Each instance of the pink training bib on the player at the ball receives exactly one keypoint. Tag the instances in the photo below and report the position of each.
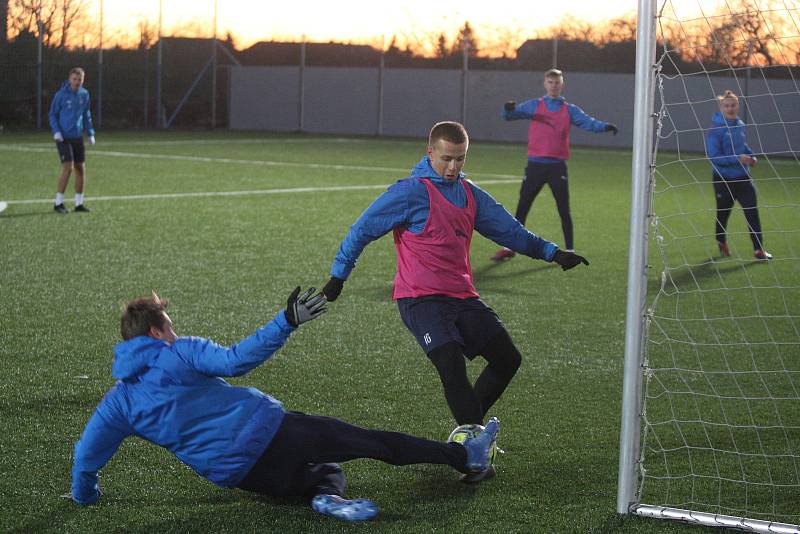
(436, 261)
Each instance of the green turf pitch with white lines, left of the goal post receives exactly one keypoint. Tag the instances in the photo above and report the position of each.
(227, 264)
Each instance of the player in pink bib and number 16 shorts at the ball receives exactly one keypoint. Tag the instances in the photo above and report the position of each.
(432, 215)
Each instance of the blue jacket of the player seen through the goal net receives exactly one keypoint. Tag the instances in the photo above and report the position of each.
(726, 140)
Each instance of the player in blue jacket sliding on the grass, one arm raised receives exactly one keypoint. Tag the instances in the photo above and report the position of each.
(169, 392)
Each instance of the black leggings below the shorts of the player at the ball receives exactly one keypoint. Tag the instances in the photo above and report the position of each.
(470, 404)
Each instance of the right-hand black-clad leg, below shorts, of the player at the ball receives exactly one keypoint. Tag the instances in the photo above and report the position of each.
(503, 361)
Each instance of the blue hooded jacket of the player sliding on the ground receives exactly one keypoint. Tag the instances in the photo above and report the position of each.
(171, 395)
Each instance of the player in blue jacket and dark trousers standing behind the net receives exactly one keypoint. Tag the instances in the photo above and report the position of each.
(731, 158)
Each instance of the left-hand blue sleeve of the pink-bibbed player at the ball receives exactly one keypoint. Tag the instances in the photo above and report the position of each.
(386, 212)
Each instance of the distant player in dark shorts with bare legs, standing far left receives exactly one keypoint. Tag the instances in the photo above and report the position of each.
(69, 117)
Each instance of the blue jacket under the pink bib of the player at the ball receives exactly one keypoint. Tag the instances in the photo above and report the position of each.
(406, 204)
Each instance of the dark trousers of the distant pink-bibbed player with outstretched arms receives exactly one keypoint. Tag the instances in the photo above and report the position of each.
(555, 176)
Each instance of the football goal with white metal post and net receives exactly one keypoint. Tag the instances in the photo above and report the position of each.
(710, 422)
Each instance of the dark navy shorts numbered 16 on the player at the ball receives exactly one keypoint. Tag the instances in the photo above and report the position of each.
(437, 319)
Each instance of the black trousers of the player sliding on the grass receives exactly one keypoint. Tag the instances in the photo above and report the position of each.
(302, 459)
